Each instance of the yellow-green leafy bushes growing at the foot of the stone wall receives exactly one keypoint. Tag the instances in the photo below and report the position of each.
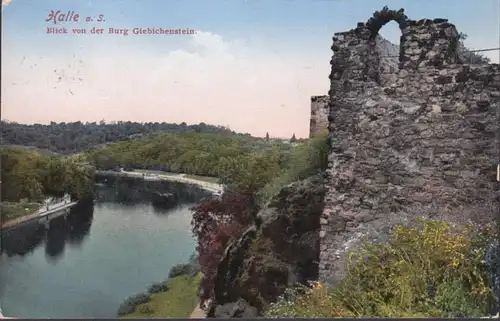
(426, 271)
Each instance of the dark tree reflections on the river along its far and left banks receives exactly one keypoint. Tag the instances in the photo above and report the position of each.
(73, 229)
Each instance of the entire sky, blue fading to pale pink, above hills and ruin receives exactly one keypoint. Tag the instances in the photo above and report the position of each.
(253, 64)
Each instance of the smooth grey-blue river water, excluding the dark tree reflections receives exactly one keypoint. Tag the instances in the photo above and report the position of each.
(87, 264)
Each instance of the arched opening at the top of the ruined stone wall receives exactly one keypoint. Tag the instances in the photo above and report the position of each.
(387, 45)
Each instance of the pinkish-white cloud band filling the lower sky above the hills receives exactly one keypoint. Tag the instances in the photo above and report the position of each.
(209, 79)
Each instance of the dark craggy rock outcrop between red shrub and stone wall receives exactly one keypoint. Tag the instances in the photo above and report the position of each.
(282, 251)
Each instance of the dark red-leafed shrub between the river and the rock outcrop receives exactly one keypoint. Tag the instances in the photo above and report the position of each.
(215, 223)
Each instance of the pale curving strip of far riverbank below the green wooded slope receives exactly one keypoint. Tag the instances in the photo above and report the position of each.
(173, 177)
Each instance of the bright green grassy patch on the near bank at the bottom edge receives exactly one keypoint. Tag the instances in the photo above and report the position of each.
(177, 302)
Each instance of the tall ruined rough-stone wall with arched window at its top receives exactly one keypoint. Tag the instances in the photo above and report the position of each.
(416, 143)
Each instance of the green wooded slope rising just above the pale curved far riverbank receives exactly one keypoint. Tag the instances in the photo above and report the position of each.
(205, 154)
